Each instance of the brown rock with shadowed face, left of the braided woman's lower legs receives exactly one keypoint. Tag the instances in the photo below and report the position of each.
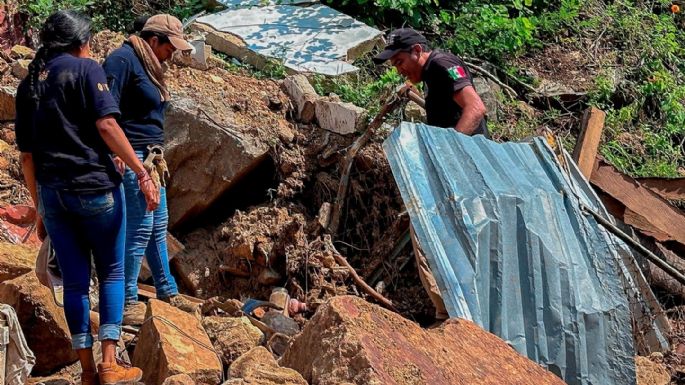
(42, 320)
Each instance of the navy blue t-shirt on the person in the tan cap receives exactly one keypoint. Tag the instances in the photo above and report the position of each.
(140, 101)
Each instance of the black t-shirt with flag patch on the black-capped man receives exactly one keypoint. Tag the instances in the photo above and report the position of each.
(443, 75)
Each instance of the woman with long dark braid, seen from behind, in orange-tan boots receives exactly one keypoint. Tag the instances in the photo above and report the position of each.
(66, 132)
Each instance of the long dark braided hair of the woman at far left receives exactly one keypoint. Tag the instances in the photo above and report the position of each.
(63, 31)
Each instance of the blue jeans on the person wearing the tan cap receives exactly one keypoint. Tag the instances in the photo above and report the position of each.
(146, 235)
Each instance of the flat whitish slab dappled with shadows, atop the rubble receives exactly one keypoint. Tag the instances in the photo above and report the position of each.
(308, 39)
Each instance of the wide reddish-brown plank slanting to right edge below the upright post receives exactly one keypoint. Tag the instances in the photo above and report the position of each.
(645, 210)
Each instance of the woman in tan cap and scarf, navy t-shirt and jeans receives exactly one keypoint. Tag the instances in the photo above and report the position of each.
(136, 81)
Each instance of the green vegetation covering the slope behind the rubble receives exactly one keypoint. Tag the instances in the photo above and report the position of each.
(637, 52)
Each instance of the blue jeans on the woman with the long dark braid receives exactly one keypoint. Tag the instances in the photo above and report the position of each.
(81, 225)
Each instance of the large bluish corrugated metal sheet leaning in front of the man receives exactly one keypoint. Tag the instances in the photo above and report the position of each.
(511, 250)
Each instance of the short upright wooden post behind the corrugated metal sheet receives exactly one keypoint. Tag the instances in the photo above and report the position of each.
(588, 142)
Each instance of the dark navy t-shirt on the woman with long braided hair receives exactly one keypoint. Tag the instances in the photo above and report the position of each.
(68, 151)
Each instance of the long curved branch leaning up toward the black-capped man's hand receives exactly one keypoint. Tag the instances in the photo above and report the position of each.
(349, 160)
